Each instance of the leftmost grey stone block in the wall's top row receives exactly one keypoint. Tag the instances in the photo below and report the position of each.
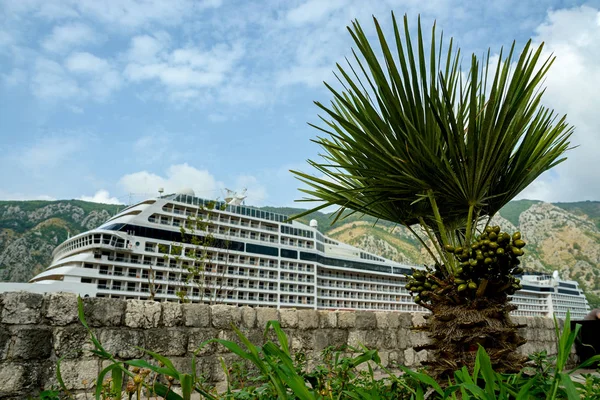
(21, 308)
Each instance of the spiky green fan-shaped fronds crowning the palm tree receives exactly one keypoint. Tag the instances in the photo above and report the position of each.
(411, 138)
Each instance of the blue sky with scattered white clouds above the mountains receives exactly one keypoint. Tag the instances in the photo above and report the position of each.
(100, 99)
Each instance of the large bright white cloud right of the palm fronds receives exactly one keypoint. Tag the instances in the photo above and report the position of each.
(573, 36)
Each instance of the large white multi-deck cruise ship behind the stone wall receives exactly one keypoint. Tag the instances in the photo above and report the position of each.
(247, 256)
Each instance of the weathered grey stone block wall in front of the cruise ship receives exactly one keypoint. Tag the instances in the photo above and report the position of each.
(37, 330)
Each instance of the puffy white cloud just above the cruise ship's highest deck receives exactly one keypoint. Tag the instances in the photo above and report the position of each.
(176, 178)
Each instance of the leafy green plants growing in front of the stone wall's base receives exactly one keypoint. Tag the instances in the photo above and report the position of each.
(280, 374)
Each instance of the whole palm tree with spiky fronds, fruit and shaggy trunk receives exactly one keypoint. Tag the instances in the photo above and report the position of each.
(411, 138)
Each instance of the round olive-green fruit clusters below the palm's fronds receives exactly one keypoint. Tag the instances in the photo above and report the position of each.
(493, 257)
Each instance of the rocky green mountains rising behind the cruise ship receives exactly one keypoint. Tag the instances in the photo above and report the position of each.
(561, 236)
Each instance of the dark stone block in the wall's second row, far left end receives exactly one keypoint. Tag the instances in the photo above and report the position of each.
(31, 344)
